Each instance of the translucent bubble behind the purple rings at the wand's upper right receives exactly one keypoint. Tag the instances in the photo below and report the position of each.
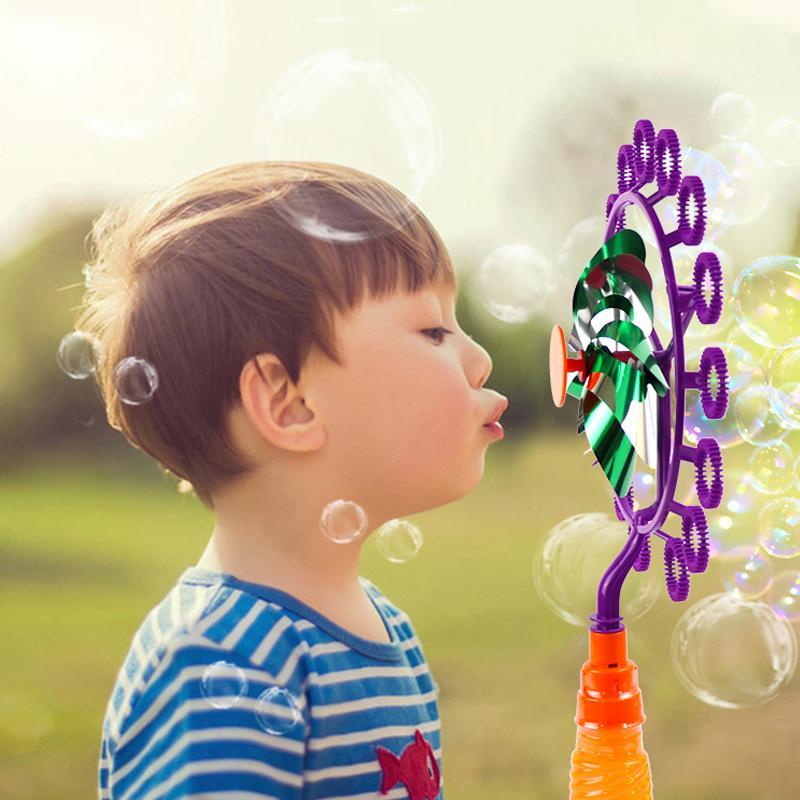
(716, 179)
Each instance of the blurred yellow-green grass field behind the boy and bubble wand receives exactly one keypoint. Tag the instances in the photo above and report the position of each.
(88, 547)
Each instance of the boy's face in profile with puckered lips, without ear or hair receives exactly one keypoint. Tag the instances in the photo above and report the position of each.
(405, 416)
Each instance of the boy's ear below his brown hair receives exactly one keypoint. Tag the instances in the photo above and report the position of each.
(276, 407)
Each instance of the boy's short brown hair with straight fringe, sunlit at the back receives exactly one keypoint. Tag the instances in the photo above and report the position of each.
(199, 279)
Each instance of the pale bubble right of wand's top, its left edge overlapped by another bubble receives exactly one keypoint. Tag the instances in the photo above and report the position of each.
(745, 195)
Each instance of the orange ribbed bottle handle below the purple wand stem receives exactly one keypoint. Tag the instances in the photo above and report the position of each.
(609, 761)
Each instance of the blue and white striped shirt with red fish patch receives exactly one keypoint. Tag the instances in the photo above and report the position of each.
(238, 690)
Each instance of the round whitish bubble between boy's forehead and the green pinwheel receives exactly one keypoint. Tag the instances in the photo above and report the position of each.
(515, 282)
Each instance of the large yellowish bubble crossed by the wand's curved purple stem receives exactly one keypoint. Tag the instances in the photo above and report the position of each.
(570, 562)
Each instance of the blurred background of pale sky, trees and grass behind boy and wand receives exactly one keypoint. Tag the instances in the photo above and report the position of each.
(502, 121)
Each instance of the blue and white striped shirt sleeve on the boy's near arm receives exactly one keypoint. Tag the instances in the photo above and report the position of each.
(210, 722)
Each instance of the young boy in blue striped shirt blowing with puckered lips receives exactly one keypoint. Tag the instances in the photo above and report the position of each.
(291, 365)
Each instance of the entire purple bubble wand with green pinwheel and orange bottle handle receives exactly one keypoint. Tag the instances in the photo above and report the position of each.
(626, 408)
